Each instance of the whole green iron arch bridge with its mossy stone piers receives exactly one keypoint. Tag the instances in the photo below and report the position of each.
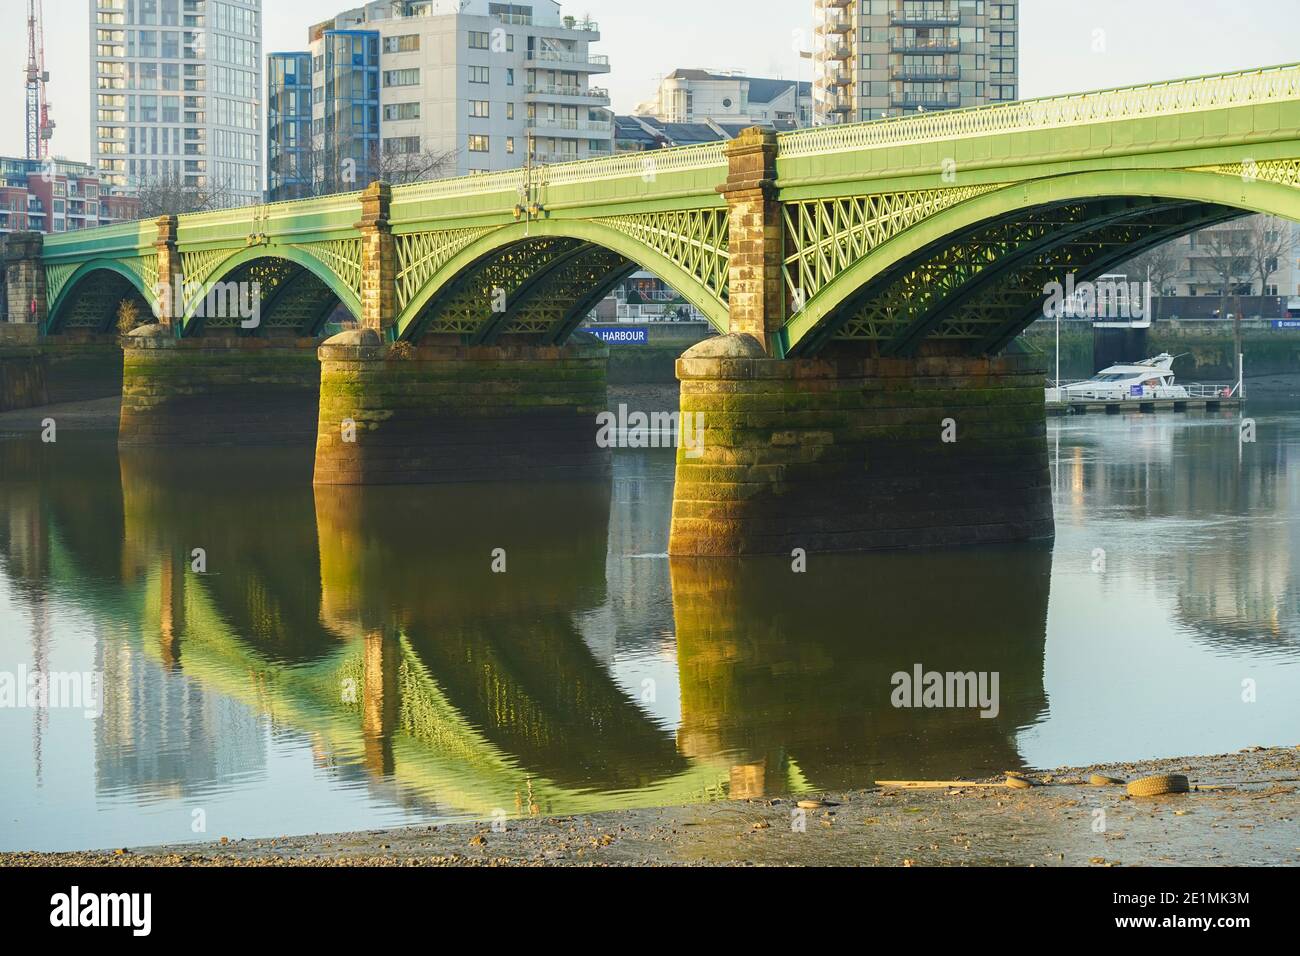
(868, 282)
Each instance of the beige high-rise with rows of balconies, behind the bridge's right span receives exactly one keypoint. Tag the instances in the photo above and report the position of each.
(889, 58)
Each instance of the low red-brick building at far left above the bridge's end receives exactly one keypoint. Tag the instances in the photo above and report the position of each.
(58, 197)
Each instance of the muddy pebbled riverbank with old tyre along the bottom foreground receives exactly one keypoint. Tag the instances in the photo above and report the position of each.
(1242, 812)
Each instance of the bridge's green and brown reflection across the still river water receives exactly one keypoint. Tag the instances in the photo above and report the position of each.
(370, 621)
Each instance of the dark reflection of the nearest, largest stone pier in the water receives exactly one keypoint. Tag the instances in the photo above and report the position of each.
(783, 669)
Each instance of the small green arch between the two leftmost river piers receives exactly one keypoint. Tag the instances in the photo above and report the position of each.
(298, 291)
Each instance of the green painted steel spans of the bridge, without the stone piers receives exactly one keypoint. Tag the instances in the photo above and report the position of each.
(896, 232)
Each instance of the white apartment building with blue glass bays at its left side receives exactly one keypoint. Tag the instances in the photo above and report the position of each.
(400, 81)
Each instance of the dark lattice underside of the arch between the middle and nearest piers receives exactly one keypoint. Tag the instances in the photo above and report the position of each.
(470, 302)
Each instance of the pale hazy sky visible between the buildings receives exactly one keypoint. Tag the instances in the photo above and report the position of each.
(1065, 46)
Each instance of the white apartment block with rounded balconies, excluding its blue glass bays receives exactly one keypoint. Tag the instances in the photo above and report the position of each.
(484, 81)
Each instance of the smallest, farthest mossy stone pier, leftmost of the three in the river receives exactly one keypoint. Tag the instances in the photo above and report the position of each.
(218, 391)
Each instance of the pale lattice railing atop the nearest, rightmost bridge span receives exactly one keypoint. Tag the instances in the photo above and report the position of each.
(1199, 94)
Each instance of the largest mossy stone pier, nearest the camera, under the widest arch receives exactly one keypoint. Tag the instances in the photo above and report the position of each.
(850, 453)
